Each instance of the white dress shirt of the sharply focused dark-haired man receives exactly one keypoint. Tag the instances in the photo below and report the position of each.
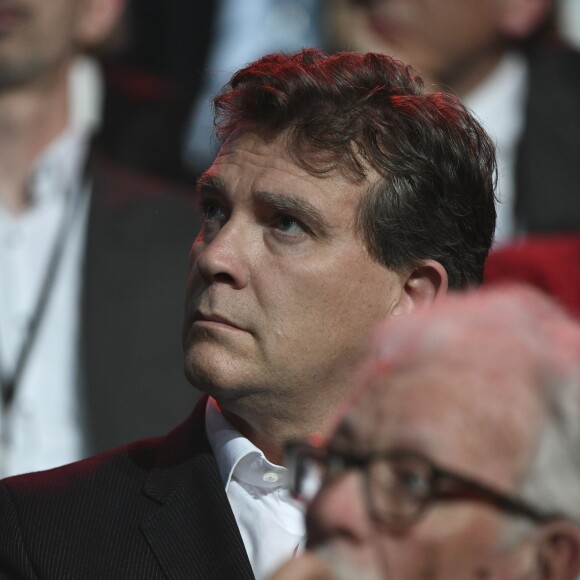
(270, 520)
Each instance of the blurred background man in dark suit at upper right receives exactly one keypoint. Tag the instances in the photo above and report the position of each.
(501, 59)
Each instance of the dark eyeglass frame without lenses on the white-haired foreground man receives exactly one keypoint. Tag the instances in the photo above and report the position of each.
(466, 488)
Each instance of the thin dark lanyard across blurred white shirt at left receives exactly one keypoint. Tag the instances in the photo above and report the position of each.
(9, 382)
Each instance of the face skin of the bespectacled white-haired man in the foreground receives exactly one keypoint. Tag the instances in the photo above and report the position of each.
(461, 428)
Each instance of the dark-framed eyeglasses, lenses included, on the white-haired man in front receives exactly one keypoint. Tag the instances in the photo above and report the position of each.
(400, 484)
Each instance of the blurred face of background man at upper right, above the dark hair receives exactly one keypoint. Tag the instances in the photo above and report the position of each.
(439, 38)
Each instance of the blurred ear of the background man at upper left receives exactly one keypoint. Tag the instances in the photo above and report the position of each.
(96, 21)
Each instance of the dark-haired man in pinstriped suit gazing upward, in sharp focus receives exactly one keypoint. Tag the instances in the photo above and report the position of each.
(342, 194)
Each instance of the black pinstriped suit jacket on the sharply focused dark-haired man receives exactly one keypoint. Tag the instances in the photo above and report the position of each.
(154, 509)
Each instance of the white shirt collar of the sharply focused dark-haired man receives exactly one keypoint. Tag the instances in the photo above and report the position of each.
(237, 457)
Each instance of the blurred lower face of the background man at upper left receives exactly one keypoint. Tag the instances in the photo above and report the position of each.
(36, 38)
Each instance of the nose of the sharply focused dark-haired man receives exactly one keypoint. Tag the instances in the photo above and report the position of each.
(221, 258)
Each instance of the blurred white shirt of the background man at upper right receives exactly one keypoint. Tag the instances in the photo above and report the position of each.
(499, 103)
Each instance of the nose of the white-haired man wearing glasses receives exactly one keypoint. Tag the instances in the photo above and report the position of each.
(339, 512)
